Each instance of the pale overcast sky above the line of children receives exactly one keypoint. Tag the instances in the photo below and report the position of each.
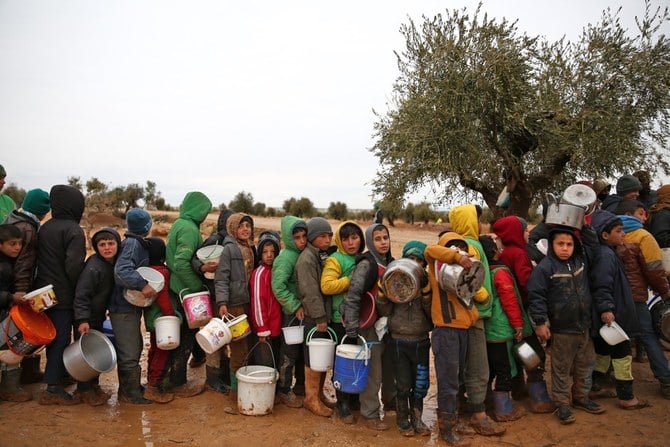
(274, 98)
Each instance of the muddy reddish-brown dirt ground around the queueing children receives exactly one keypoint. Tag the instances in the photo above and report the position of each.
(202, 421)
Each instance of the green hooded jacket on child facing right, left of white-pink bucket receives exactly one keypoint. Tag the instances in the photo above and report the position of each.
(182, 242)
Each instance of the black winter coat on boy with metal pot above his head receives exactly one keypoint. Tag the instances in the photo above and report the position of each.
(559, 291)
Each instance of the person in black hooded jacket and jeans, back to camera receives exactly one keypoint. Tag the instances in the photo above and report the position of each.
(60, 260)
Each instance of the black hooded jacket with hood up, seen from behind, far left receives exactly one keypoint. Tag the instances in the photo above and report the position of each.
(62, 245)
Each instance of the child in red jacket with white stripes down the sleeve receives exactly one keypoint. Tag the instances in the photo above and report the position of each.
(265, 309)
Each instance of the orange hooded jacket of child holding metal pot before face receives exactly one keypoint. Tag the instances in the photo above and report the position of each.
(446, 309)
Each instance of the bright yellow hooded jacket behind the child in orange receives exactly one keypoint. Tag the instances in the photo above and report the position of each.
(464, 221)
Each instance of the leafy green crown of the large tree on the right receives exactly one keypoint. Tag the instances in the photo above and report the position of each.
(477, 107)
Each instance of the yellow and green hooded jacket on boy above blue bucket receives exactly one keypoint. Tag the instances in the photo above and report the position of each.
(337, 270)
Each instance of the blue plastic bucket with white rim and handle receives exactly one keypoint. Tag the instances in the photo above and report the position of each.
(350, 373)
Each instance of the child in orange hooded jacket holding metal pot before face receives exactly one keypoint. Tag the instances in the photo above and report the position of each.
(452, 319)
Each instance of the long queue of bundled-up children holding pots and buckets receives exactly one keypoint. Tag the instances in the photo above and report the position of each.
(553, 298)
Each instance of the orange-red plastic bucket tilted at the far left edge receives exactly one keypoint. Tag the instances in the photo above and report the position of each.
(23, 331)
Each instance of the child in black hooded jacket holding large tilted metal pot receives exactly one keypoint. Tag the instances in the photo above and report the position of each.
(91, 300)
